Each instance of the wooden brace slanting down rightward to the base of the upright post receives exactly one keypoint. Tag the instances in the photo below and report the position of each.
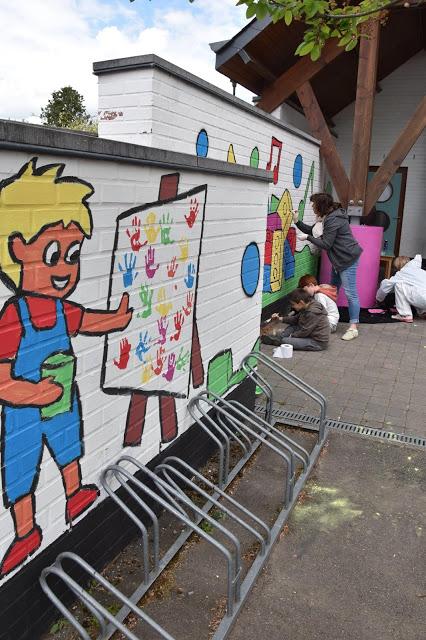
(329, 151)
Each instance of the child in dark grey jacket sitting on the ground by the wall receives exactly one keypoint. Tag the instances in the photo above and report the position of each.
(308, 329)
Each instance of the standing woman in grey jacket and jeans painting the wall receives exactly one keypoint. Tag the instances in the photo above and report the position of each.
(342, 249)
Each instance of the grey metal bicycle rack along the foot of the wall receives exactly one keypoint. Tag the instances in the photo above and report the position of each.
(227, 423)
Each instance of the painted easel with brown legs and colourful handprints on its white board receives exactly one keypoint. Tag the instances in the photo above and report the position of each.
(160, 353)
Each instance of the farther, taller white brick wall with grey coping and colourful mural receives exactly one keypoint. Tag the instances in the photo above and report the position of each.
(188, 115)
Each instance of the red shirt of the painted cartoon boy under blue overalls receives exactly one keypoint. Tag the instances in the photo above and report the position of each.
(43, 316)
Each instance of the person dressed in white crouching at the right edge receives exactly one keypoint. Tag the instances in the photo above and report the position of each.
(409, 286)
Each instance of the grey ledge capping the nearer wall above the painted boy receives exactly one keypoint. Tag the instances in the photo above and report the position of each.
(39, 139)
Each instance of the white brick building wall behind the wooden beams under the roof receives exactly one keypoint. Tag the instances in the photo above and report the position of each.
(401, 93)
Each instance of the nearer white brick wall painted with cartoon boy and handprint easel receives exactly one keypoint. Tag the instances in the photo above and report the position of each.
(199, 257)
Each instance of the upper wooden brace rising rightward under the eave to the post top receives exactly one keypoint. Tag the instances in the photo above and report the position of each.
(301, 72)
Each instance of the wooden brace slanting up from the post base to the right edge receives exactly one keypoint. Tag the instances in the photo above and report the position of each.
(399, 151)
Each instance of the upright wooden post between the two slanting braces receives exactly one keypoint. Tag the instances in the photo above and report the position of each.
(364, 105)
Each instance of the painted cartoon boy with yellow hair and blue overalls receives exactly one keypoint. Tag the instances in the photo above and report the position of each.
(44, 219)
